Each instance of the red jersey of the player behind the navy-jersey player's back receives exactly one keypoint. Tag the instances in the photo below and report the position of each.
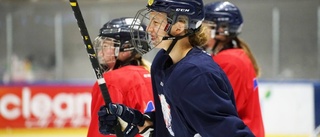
(241, 74)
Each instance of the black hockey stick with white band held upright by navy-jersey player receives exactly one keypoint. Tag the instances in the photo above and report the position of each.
(93, 58)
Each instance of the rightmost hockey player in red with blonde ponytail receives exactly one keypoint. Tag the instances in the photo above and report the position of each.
(235, 58)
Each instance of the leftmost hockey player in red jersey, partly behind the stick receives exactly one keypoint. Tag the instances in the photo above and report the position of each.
(126, 74)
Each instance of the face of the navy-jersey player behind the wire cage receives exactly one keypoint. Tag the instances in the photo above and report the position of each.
(157, 27)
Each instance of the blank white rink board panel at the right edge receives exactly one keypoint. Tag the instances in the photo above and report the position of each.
(290, 108)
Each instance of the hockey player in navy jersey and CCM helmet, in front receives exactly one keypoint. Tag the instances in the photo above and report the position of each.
(192, 94)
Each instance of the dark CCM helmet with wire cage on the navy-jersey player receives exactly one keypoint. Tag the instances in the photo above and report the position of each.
(190, 11)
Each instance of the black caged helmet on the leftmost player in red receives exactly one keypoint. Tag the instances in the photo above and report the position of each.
(116, 35)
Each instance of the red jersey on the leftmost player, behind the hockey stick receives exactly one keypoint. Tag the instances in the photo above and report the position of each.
(128, 85)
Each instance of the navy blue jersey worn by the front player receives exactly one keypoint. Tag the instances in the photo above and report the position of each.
(193, 97)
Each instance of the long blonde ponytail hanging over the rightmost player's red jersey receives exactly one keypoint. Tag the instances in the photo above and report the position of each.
(247, 50)
